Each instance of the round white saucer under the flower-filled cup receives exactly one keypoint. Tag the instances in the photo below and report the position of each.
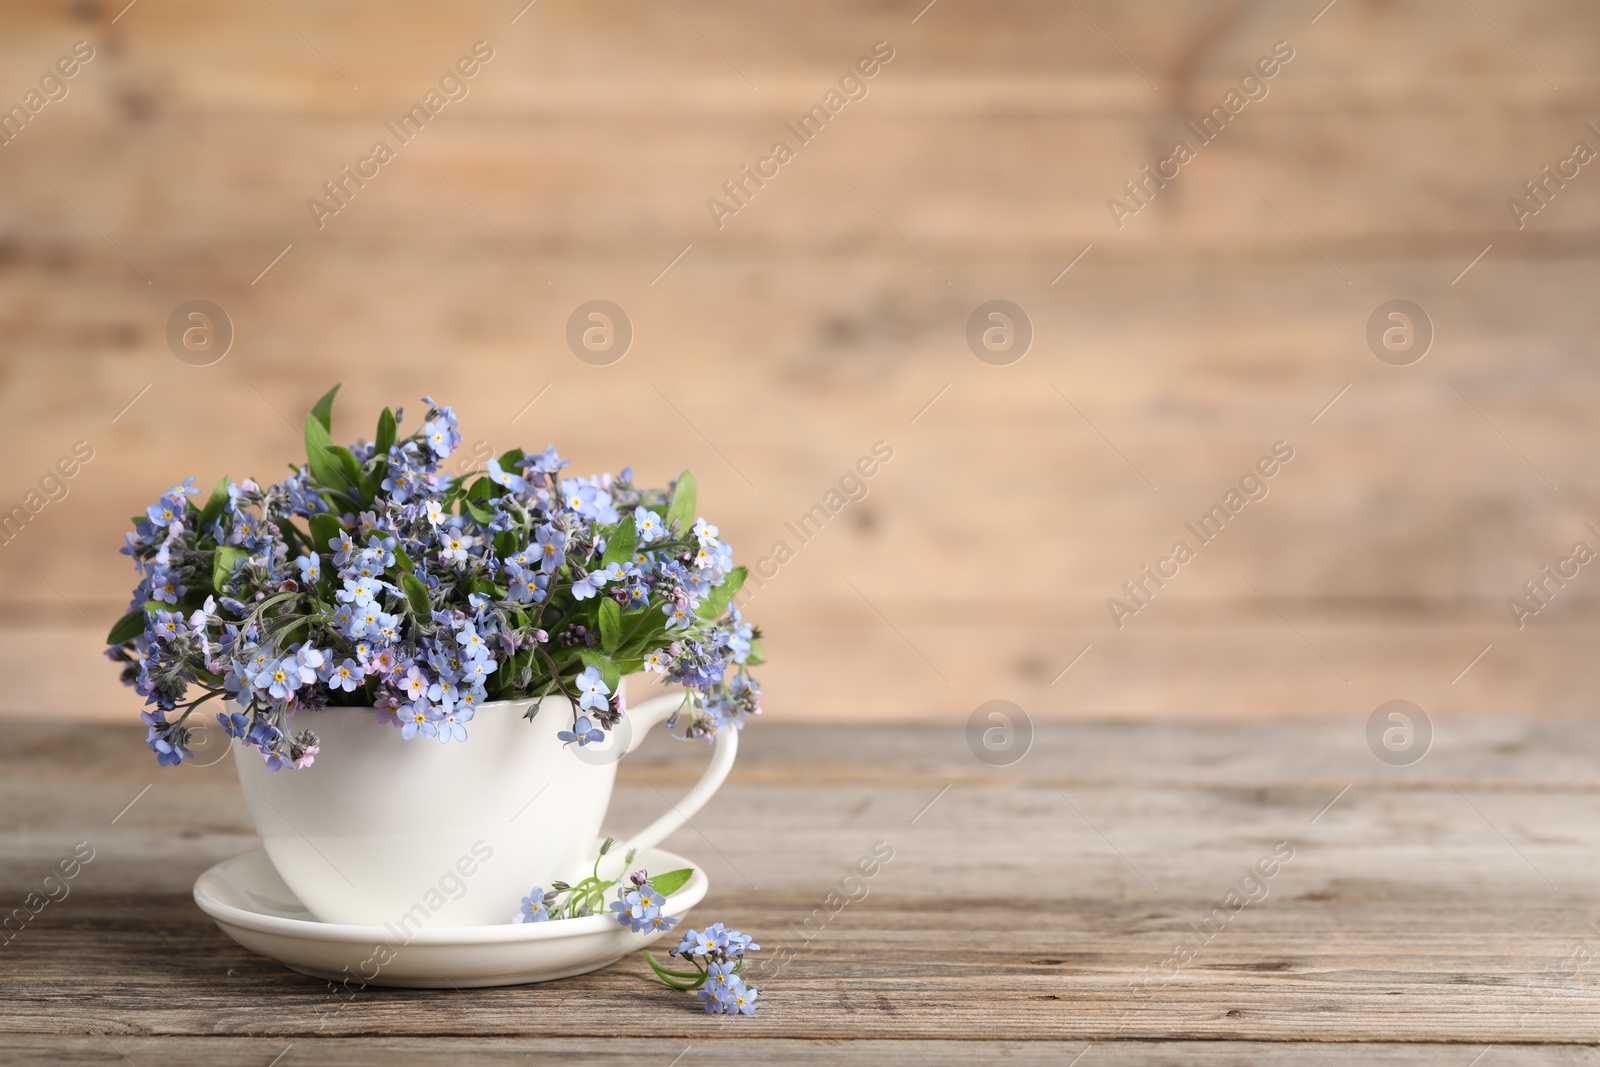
(250, 903)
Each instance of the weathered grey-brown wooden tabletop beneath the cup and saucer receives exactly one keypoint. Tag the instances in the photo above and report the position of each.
(1428, 913)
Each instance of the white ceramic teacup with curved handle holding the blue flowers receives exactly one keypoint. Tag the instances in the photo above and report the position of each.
(418, 834)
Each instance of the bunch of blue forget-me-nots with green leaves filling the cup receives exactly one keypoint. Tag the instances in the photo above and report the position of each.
(374, 578)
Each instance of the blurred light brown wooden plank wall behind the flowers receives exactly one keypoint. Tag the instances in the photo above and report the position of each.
(831, 311)
